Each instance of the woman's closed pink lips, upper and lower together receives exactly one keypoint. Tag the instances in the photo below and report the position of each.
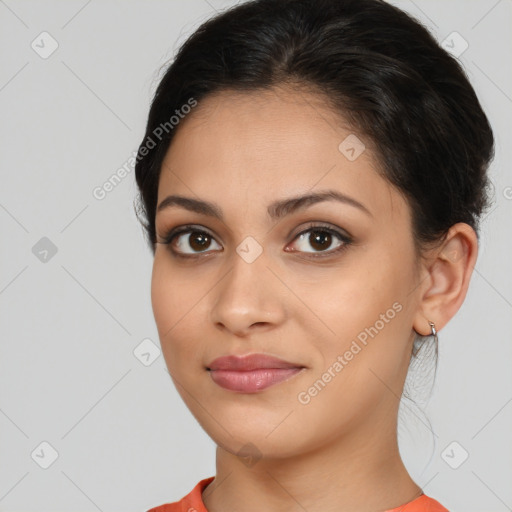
(251, 373)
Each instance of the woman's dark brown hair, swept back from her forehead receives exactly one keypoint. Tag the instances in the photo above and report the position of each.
(380, 68)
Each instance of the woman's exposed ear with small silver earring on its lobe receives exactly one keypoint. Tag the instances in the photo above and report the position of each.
(445, 279)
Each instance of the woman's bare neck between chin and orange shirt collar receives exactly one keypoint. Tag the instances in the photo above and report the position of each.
(360, 471)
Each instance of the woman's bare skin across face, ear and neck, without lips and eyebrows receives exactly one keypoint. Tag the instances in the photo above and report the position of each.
(339, 451)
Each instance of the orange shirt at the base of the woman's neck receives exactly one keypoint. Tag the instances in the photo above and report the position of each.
(193, 502)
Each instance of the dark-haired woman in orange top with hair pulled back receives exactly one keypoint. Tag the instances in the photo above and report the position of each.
(311, 180)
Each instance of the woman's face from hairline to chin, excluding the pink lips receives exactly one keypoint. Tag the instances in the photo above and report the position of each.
(327, 285)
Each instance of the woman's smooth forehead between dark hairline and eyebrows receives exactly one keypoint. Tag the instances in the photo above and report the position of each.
(267, 144)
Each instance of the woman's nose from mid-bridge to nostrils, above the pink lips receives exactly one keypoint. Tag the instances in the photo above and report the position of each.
(249, 298)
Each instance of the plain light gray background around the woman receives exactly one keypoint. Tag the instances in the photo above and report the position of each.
(70, 321)
